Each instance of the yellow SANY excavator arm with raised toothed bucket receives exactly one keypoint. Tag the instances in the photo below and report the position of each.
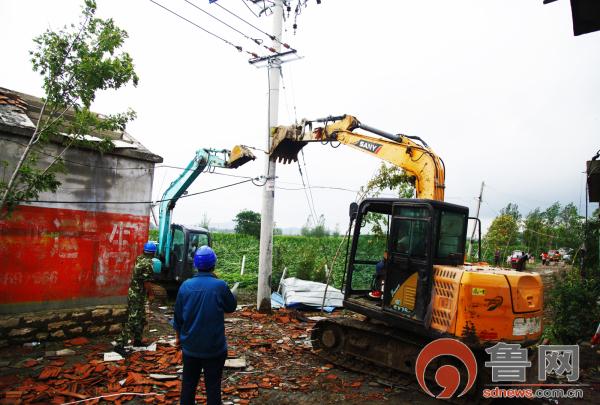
(411, 154)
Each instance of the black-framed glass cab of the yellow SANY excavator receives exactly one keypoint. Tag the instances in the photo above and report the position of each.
(415, 234)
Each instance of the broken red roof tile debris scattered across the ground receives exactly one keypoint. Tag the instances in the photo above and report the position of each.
(269, 343)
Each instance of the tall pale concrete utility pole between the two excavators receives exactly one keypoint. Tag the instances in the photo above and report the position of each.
(263, 296)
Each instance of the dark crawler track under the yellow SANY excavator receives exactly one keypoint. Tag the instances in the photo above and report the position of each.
(375, 350)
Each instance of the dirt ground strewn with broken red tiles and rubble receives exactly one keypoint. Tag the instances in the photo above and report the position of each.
(280, 367)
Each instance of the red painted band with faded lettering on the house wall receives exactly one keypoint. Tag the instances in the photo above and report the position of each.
(49, 254)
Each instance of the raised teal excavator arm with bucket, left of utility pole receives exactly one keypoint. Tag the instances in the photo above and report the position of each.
(204, 159)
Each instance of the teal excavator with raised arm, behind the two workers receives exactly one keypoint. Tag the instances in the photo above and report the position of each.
(177, 243)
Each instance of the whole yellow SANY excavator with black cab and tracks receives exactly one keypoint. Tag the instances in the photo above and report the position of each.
(429, 291)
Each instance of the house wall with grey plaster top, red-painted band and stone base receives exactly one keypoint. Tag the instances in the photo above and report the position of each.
(63, 257)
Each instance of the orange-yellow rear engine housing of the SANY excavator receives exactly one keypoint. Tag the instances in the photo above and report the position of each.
(487, 304)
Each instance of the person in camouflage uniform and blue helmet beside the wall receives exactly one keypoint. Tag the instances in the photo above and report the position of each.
(136, 298)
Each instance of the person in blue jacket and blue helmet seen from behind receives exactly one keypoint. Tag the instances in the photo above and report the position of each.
(199, 322)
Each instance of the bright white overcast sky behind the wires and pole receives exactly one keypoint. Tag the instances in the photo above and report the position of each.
(500, 89)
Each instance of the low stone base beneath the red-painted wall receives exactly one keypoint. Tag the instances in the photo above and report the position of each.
(61, 324)
